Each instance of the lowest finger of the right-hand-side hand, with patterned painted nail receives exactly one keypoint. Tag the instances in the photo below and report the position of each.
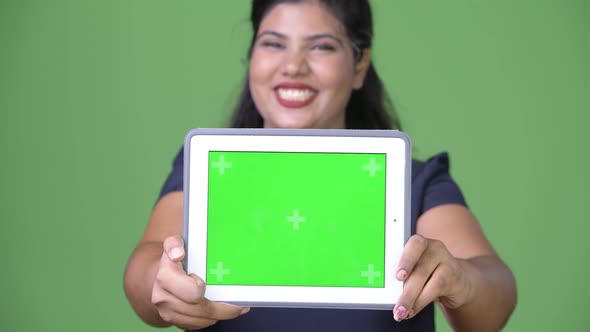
(413, 287)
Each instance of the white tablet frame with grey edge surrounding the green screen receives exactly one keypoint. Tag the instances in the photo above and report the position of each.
(394, 144)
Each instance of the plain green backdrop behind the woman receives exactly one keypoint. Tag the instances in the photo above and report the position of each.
(95, 99)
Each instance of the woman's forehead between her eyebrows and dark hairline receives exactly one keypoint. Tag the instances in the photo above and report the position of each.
(302, 18)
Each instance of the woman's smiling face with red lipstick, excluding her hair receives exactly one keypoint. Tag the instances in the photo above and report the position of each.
(302, 68)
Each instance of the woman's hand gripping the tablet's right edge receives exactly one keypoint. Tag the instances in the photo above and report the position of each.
(430, 274)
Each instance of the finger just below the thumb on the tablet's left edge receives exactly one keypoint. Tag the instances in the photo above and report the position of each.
(174, 280)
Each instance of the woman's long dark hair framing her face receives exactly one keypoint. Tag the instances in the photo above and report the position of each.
(369, 107)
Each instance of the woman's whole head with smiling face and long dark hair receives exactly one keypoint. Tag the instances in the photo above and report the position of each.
(308, 57)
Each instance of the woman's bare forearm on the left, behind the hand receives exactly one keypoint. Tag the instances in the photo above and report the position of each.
(139, 280)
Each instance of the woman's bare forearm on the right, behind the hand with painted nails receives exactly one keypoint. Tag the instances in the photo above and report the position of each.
(492, 300)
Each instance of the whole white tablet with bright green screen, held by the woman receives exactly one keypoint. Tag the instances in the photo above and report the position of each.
(297, 218)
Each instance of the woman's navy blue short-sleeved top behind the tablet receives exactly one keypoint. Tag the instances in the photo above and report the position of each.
(432, 185)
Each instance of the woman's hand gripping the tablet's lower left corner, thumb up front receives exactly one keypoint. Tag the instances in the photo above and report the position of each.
(179, 298)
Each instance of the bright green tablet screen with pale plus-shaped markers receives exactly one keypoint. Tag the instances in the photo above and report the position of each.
(296, 219)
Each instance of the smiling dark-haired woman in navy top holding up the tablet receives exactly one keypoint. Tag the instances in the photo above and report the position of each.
(310, 67)
